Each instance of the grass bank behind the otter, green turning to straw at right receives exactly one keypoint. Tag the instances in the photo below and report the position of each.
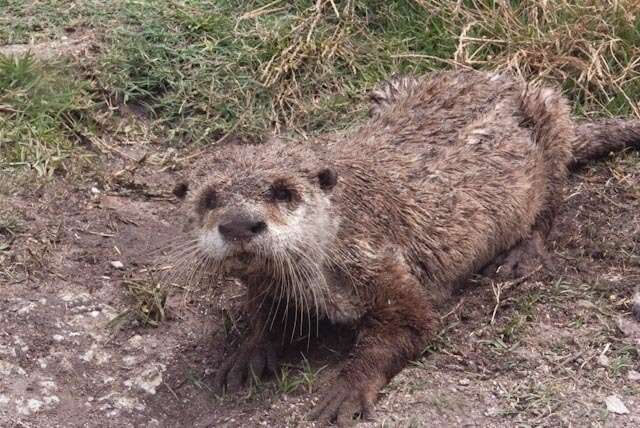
(305, 66)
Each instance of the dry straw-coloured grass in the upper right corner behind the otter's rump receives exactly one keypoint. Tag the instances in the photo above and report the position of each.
(590, 48)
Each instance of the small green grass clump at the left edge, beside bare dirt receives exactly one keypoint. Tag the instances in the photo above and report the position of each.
(40, 105)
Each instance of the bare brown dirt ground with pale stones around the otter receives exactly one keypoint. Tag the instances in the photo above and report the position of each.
(548, 351)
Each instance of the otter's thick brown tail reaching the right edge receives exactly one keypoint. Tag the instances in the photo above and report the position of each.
(599, 138)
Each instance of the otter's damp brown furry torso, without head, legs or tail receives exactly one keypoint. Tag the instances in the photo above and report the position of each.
(446, 183)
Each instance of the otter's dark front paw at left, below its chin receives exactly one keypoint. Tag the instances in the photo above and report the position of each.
(250, 361)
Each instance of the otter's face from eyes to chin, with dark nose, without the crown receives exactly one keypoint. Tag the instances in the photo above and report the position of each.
(248, 219)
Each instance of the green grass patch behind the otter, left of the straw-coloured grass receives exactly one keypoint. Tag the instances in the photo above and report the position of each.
(209, 68)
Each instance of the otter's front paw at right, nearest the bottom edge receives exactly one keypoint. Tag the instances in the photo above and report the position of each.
(345, 403)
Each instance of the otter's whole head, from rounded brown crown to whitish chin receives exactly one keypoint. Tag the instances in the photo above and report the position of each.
(265, 207)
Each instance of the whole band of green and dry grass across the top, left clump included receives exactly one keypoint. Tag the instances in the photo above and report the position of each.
(202, 70)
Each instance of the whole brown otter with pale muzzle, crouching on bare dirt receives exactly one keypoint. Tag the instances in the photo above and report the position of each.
(375, 227)
